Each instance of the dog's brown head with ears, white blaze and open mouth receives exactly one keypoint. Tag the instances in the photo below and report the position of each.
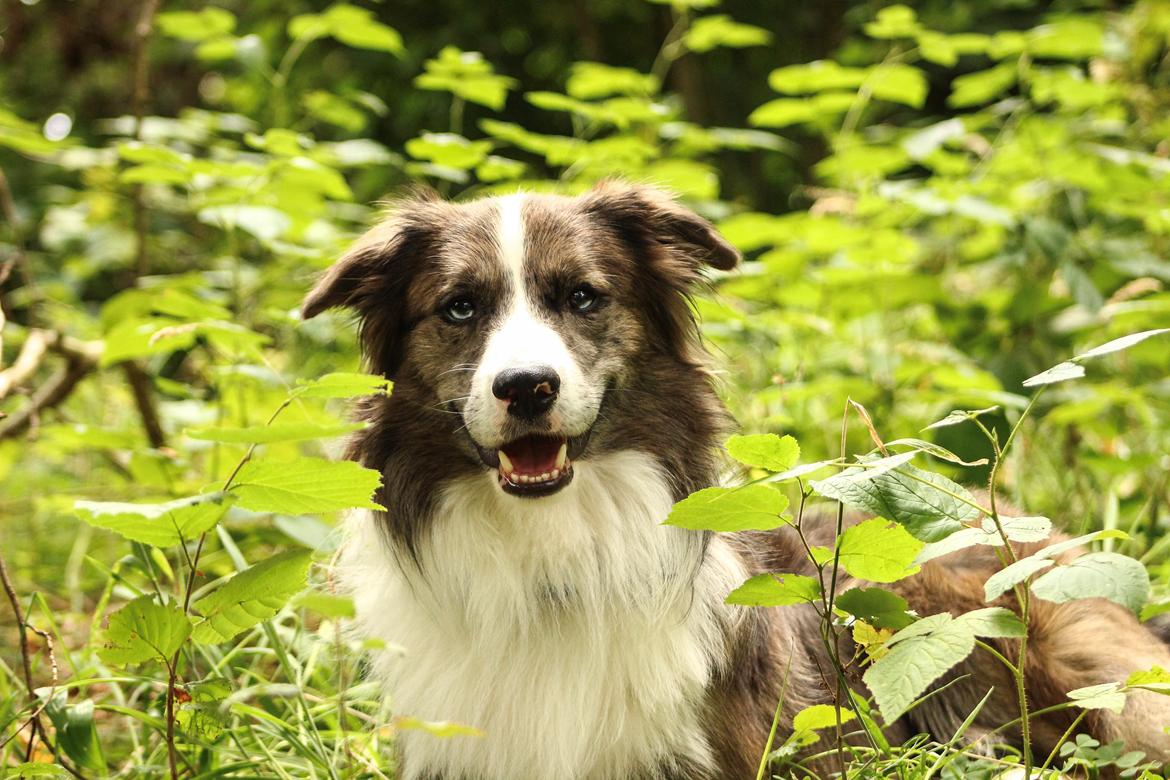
(522, 317)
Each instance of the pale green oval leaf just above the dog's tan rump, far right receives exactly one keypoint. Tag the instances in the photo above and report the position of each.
(1097, 576)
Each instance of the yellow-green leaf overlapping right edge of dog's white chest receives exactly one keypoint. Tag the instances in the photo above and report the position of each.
(752, 508)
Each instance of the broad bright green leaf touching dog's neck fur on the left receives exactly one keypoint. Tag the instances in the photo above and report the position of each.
(305, 486)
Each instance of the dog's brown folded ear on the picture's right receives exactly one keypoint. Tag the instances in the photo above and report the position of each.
(646, 216)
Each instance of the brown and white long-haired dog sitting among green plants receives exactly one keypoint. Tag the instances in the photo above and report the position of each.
(552, 403)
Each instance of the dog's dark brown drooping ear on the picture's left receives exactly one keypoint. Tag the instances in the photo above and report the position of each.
(373, 280)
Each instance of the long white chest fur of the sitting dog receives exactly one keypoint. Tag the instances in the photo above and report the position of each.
(576, 631)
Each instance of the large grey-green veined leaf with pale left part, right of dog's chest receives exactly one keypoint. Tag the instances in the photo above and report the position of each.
(930, 506)
